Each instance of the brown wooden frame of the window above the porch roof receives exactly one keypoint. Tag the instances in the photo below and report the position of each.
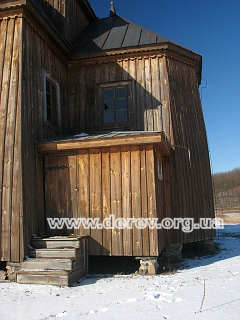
(114, 85)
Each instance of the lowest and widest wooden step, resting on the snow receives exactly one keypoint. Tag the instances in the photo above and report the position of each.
(57, 278)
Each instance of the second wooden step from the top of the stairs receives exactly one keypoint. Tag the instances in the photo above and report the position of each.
(72, 253)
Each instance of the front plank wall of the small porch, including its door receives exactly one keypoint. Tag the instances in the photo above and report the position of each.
(116, 180)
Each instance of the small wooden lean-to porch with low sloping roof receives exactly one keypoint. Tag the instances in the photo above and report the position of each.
(125, 174)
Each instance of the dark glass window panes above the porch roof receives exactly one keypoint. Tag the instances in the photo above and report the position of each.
(115, 105)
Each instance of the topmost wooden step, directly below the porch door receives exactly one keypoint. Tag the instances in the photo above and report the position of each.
(56, 243)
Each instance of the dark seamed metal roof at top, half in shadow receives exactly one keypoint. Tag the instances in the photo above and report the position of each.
(115, 32)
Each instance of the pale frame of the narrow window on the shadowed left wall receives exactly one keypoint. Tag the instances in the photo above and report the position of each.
(56, 126)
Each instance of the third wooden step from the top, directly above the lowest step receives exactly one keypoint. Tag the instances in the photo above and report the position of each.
(47, 264)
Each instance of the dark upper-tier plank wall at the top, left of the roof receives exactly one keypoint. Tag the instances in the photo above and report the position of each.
(67, 16)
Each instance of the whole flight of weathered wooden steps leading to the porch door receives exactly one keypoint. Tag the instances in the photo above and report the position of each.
(57, 261)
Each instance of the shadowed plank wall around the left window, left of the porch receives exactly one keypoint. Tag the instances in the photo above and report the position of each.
(38, 55)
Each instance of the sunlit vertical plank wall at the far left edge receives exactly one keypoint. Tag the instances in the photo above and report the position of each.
(10, 139)
